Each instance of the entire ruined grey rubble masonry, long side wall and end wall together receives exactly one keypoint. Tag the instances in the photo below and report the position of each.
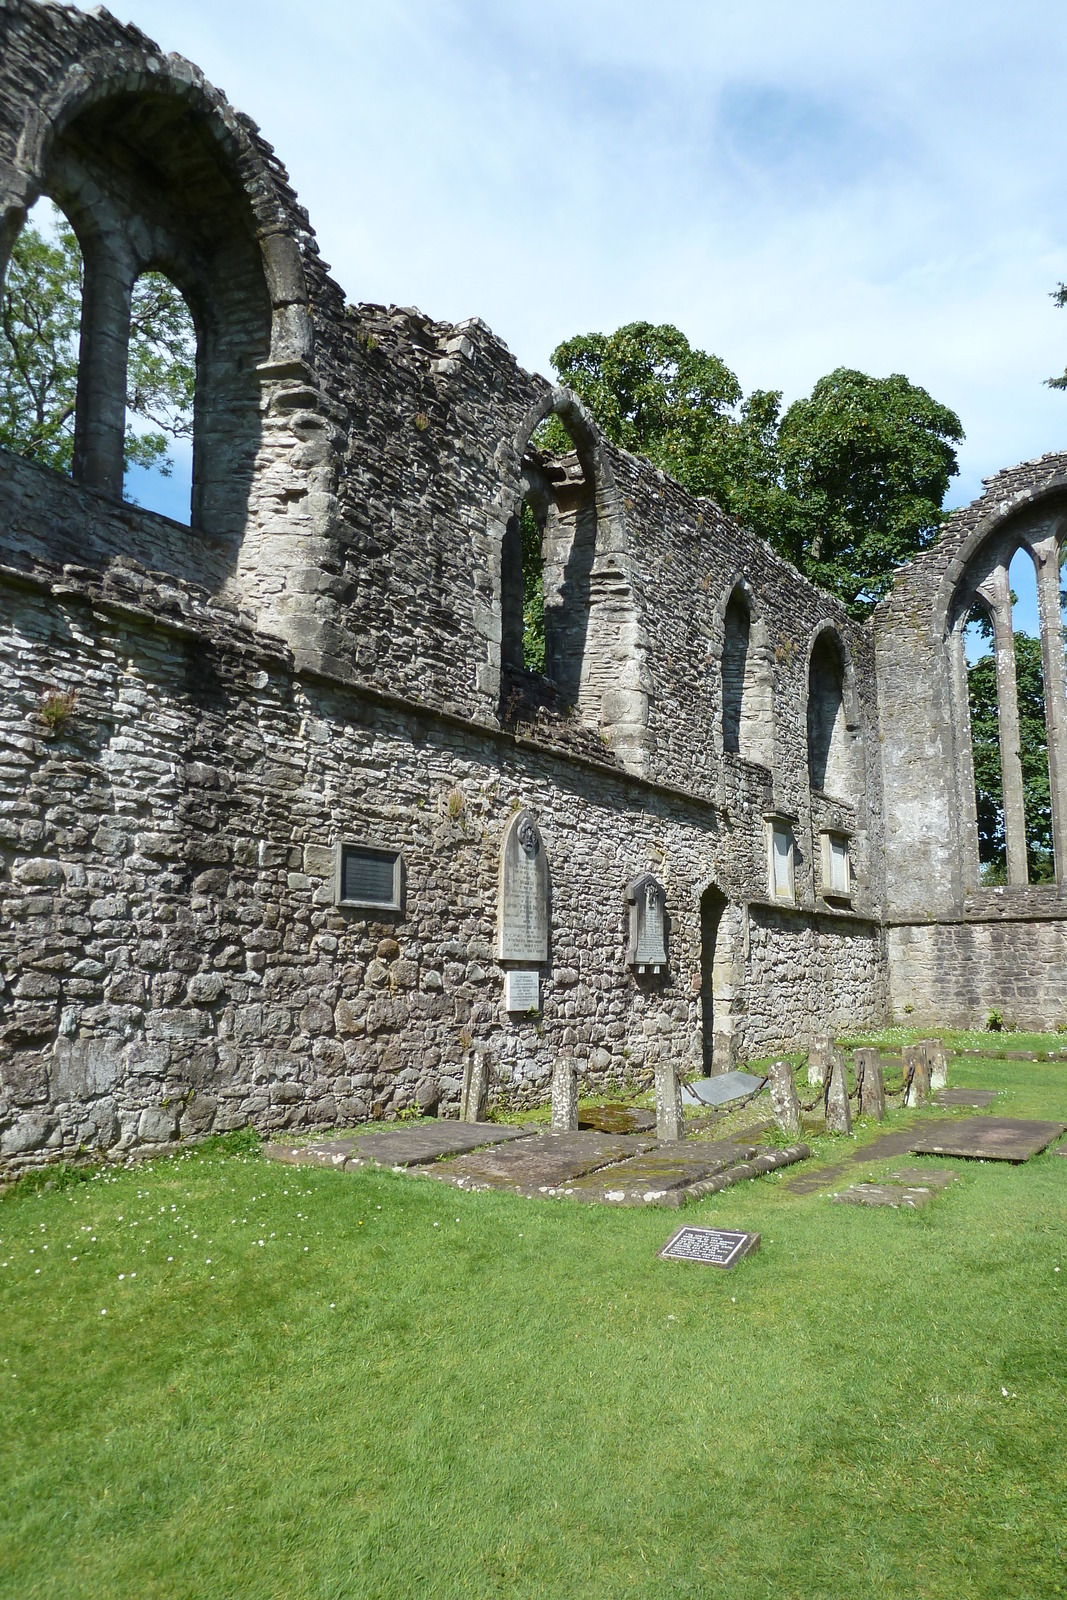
(324, 657)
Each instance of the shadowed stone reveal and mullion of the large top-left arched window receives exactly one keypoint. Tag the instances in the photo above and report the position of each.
(151, 185)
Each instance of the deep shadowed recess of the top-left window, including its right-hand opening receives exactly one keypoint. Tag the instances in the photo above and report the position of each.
(175, 316)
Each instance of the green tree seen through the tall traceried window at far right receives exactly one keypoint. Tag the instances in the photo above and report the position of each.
(1034, 759)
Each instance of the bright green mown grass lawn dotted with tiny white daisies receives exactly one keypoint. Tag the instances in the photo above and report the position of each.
(263, 1382)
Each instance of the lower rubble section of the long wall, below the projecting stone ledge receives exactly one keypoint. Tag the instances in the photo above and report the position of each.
(172, 951)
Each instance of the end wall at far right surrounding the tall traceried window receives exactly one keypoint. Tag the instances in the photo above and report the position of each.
(957, 950)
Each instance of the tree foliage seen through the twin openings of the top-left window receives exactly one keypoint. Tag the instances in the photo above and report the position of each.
(41, 314)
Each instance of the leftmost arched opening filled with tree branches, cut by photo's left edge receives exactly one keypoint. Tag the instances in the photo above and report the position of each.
(41, 324)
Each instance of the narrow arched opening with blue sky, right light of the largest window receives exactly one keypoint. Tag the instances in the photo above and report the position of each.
(161, 390)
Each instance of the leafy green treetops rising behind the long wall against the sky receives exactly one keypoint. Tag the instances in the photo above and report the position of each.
(845, 484)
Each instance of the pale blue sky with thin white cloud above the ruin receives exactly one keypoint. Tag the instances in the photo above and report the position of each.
(794, 186)
